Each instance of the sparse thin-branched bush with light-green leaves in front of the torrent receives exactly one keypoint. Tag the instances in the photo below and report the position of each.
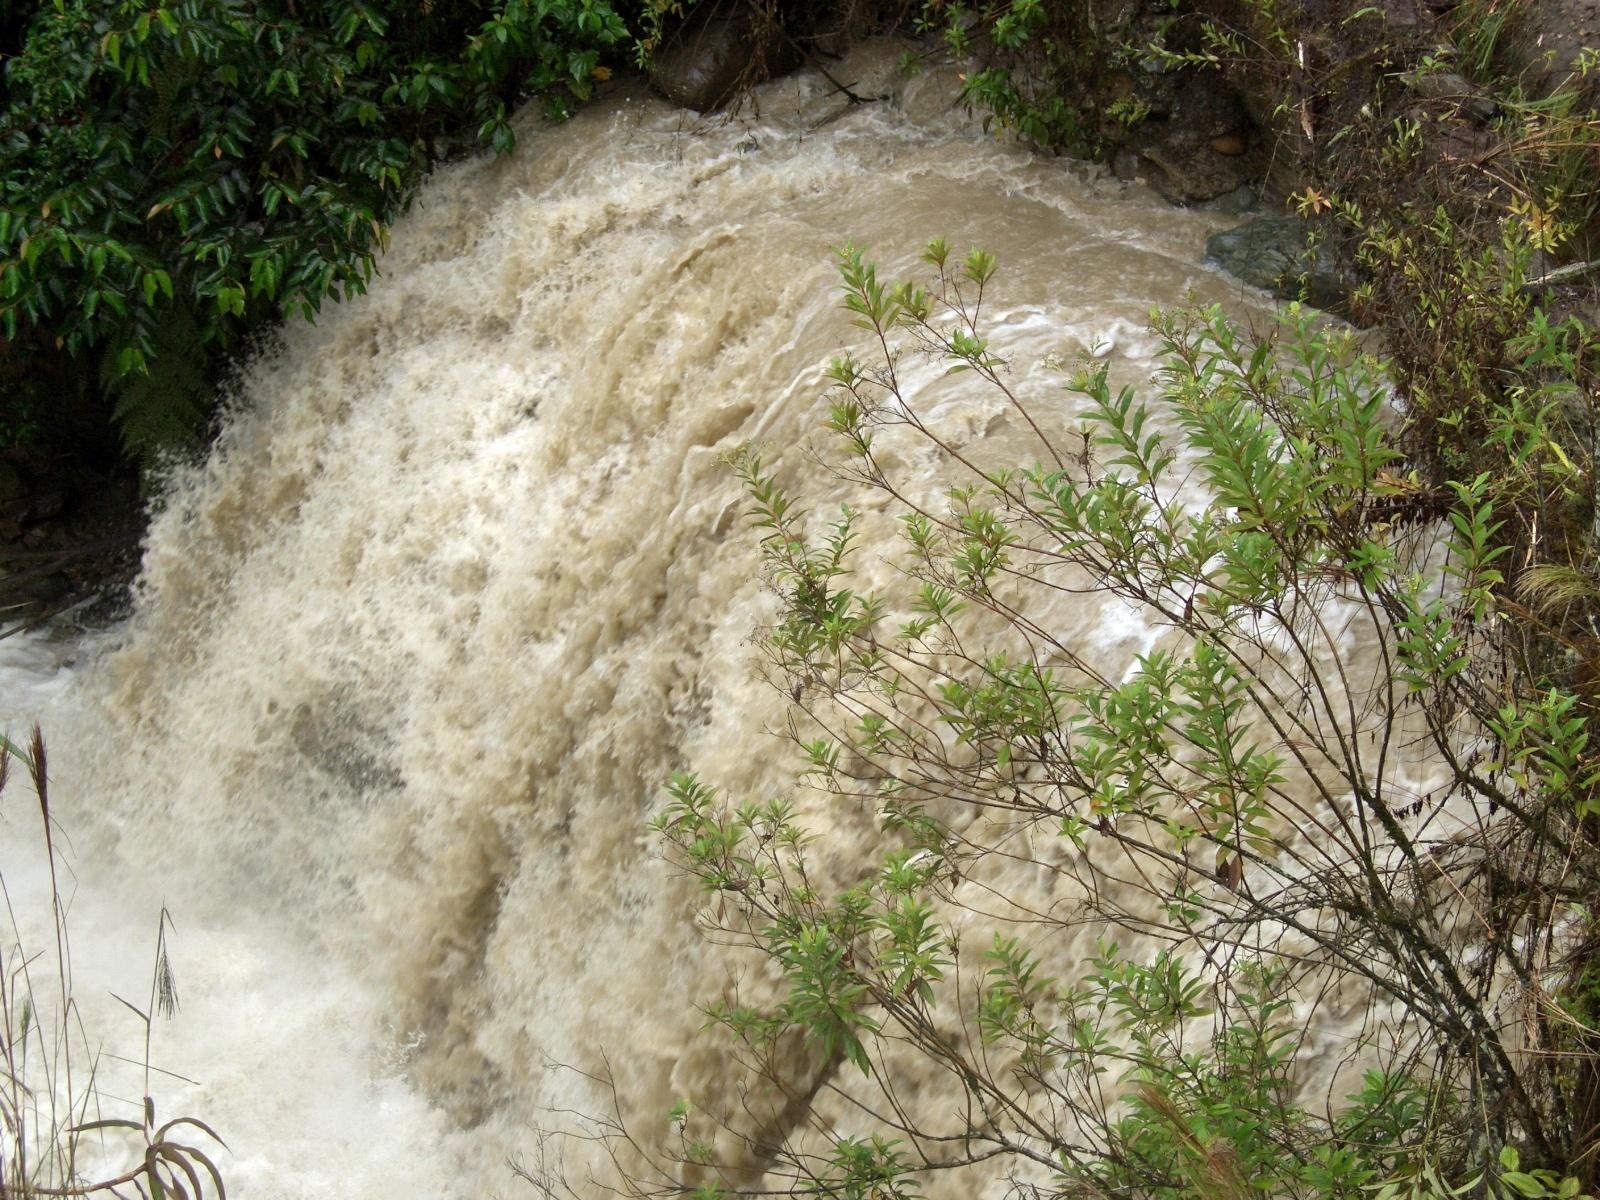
(1324, 782)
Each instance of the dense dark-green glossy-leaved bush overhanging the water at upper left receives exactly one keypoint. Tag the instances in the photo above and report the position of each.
(175, 174)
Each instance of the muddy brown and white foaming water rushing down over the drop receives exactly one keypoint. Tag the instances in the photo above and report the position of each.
(466, 578)
